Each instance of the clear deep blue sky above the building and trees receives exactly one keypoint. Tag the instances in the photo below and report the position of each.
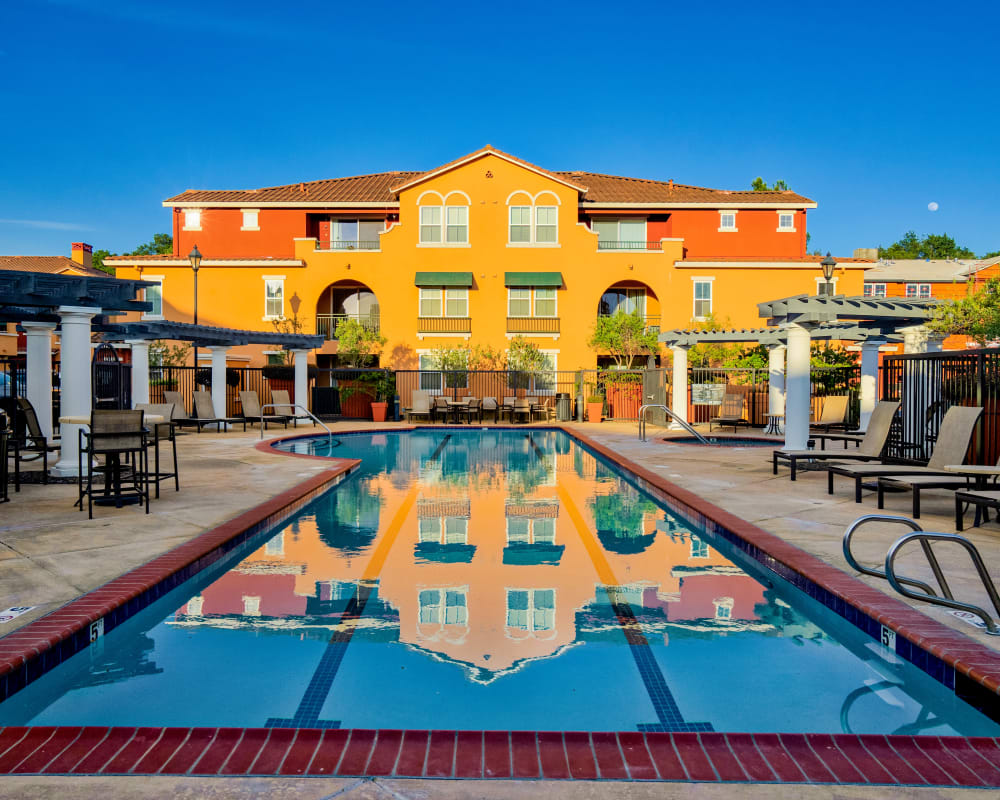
(873, 110)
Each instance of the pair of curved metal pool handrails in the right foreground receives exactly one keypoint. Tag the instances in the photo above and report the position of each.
(925, 593)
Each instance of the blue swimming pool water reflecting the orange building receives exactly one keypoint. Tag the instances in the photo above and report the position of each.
(489, 579)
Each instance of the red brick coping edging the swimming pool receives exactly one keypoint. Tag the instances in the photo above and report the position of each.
(638, 756)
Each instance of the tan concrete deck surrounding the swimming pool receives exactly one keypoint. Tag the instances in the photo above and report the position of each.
(224, 475)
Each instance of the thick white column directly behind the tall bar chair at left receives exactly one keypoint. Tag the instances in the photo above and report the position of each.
(75, 388)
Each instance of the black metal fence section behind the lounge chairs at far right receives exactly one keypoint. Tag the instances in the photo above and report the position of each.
(928, 384)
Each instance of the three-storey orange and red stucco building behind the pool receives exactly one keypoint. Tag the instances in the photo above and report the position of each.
(478, 251)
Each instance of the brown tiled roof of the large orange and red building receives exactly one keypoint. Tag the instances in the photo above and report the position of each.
(382, 189)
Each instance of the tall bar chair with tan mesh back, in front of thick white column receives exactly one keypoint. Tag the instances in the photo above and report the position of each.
(120, 438)
